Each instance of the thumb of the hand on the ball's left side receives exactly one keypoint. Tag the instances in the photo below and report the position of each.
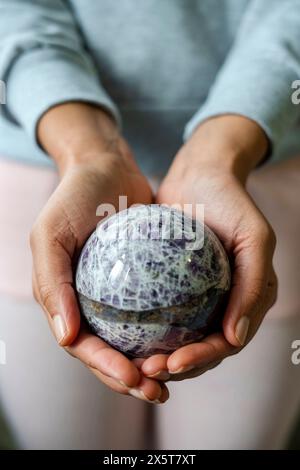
(53, 280)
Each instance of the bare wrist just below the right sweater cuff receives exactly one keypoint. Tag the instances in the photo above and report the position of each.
(230, 143)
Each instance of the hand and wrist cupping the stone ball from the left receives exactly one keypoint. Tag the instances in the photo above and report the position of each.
(96, 166)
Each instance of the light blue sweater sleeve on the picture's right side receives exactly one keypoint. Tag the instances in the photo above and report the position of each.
(256, 78)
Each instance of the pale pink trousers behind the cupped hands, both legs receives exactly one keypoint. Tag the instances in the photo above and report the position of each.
(52, 402)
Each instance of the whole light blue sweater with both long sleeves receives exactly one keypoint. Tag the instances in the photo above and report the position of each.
(159, 66)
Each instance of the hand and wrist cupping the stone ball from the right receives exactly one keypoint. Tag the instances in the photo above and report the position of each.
(212, 169)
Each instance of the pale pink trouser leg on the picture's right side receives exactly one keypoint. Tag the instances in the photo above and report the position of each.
(252, 399)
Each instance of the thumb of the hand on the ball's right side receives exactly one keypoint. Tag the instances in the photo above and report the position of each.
(253, 261)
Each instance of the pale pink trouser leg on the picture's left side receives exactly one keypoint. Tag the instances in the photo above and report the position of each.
(50, 400)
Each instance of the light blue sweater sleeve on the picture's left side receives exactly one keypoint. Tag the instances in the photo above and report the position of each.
(43, 61)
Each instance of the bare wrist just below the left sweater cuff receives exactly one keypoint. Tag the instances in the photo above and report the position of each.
(76, 133)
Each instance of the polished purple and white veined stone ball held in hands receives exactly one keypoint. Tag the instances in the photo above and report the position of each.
(151, 279)
